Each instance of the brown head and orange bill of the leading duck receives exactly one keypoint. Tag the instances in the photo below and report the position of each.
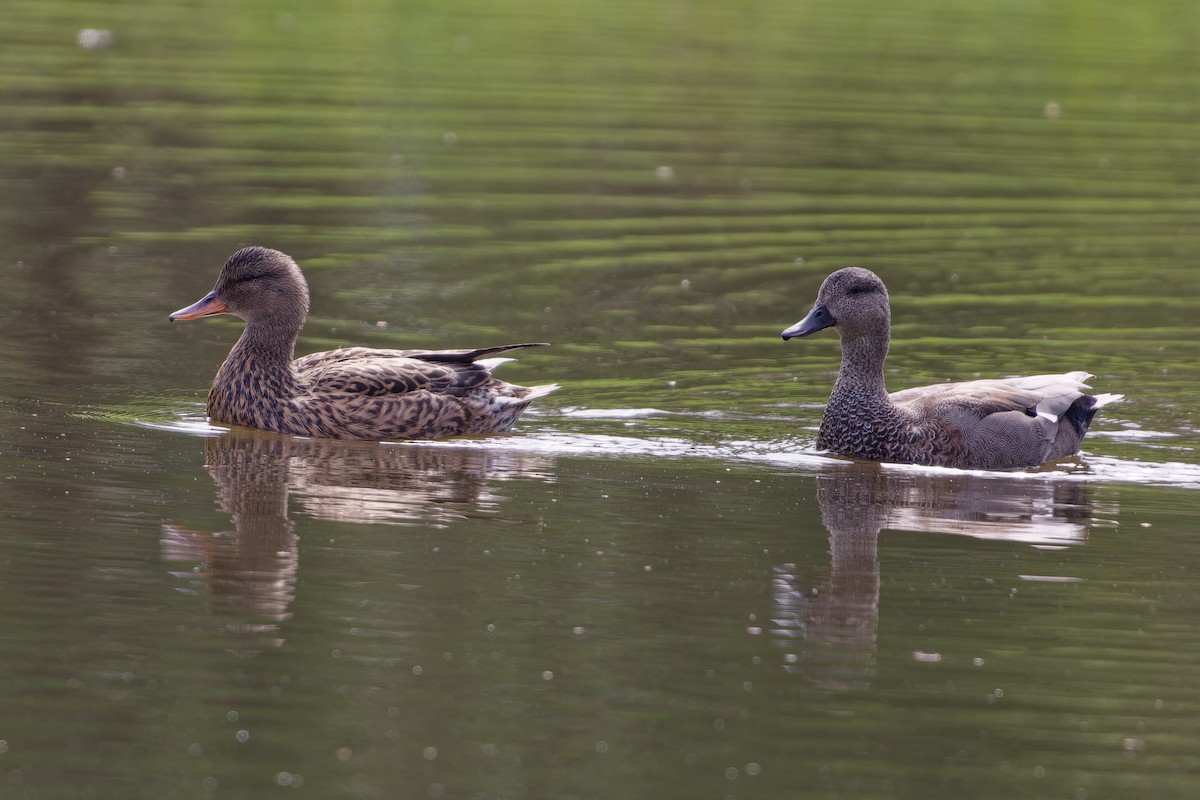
(259, 285)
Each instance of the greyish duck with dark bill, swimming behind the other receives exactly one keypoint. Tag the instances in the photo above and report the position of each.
(992, 424)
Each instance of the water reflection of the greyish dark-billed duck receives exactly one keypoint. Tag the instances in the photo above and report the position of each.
(830, 631)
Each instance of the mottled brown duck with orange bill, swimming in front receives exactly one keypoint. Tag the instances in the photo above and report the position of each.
(353, 393)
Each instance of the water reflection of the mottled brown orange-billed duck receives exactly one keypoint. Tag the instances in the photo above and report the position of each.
(251, 574)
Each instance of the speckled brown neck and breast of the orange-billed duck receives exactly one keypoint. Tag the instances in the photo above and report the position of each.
(257, 381)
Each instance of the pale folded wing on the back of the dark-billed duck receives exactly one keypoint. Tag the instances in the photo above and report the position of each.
(1047, 396)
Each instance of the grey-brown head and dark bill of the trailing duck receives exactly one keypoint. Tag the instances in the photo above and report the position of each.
(854, 302)
